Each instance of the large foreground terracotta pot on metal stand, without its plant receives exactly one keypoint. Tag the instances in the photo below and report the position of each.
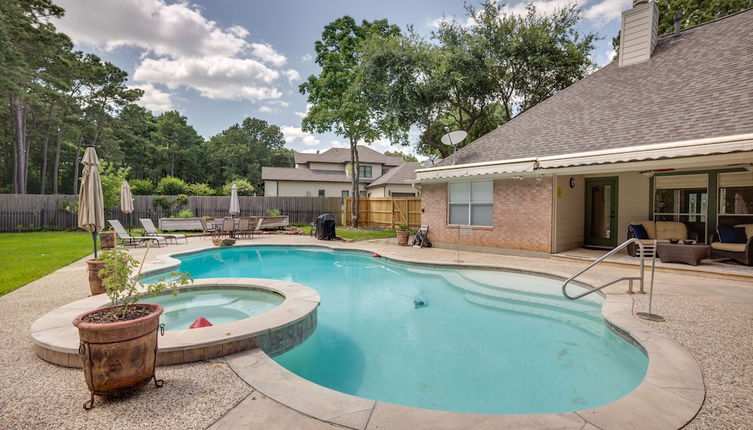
(118, 357)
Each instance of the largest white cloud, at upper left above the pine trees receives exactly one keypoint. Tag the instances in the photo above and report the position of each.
(180, 47)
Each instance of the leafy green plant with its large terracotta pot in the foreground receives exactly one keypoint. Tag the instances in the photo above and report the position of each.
(118, 343)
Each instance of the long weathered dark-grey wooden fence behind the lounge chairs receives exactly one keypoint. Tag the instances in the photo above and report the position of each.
(20, 212)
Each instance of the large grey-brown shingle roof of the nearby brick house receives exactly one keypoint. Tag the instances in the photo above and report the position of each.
(698, 86)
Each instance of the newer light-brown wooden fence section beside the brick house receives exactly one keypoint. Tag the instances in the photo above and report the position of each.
(385, 212)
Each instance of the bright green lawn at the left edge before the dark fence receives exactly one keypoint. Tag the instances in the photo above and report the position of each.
(25, 257)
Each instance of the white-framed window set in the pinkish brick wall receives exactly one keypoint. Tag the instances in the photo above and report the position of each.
(470, 203)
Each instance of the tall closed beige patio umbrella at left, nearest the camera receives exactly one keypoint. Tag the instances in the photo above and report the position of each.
(91, 205)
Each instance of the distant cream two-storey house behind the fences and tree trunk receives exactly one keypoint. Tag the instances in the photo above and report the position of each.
(329, 175)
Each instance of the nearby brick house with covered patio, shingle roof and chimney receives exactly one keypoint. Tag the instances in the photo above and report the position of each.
(664, 133)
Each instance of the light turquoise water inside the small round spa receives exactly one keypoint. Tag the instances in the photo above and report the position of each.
(217, 306)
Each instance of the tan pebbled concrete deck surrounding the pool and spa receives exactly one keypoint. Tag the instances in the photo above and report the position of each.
(50, 396)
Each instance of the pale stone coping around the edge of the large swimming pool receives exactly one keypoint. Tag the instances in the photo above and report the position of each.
(669, 396)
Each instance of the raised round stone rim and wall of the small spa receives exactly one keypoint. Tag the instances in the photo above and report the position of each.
(277, 330)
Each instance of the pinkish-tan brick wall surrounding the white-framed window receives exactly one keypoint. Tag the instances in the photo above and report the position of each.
(522, 216)
